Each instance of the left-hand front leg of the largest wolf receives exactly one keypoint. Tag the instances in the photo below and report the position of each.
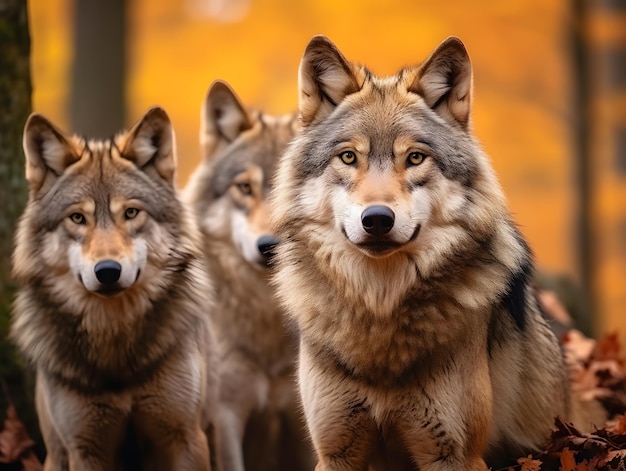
(338, 417)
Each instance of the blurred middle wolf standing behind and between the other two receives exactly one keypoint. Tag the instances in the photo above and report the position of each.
(259, 425)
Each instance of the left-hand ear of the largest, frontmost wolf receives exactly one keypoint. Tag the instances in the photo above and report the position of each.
(325, 78)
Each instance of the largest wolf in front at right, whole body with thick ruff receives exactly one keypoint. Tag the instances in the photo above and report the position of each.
(422, 343)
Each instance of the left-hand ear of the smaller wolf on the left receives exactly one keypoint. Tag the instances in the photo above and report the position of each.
(47, 150)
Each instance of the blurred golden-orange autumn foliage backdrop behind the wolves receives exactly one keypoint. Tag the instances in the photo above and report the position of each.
(526, 81)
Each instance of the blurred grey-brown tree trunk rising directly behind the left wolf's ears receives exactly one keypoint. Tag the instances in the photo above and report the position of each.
(97, 100)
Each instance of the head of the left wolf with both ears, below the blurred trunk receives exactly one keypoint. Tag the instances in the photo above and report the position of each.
(102, 217)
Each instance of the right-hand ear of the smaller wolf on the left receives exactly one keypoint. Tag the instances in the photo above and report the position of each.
(151, 145)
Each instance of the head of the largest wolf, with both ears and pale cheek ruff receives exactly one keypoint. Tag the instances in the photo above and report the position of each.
(387, 166)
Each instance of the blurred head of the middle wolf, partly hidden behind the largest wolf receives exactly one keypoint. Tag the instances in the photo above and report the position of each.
(229, 188)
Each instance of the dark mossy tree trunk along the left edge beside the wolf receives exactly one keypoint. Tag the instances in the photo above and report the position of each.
(15, 103)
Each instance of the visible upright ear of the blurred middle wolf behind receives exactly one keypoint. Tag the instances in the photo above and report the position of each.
(223, 115)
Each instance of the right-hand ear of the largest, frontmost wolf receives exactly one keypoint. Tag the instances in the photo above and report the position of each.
(444, 80)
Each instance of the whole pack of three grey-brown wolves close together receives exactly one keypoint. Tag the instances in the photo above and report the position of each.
(341, 288)
